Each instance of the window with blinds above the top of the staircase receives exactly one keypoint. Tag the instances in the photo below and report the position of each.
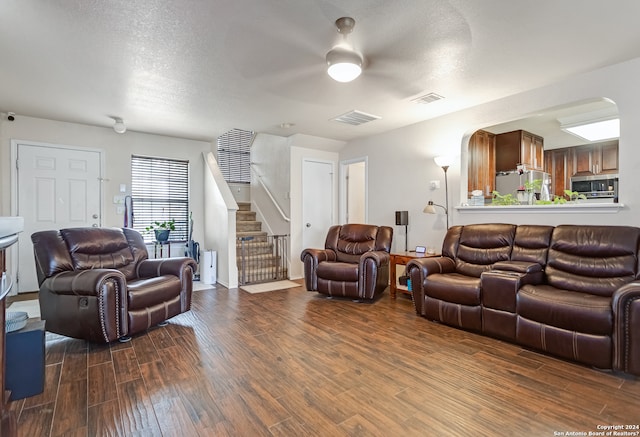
(234, 155)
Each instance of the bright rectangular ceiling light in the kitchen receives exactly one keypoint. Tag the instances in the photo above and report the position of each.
(593, 126)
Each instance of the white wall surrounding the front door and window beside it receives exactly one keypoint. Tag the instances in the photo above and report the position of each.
(117, 148)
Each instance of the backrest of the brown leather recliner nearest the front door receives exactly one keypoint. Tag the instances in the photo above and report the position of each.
(87, 248)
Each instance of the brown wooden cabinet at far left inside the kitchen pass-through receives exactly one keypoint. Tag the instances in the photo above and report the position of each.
(481, 168)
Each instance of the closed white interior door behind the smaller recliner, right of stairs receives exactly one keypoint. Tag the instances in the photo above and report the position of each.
(317, 202)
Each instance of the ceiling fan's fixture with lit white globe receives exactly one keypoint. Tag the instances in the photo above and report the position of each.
(344, 64)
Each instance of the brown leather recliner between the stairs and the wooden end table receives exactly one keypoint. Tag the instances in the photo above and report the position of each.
(354, 262)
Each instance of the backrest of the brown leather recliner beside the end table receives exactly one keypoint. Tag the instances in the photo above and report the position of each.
(352, 240)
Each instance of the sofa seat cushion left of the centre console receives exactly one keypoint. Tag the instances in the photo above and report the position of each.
(454, 288)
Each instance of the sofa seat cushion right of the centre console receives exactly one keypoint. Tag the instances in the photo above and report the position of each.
(571, 310)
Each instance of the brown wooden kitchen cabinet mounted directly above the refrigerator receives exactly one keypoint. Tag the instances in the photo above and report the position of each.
(519, 148)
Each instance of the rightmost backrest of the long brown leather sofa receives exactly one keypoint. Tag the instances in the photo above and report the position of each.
(593, 259)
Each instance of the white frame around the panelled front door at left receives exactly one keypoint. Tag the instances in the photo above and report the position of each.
(14, 191)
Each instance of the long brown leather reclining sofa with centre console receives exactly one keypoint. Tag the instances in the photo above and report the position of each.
(570, 291)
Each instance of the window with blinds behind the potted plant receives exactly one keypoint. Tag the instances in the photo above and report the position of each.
(160, 192)
